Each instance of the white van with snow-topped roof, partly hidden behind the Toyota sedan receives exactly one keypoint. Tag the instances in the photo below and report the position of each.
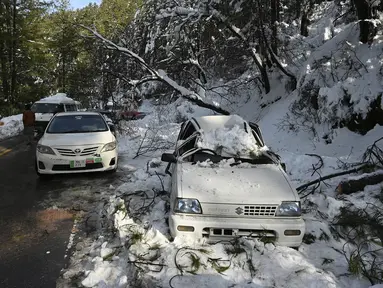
(45, 108)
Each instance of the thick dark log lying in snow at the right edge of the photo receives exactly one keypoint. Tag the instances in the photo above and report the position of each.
(356, 185)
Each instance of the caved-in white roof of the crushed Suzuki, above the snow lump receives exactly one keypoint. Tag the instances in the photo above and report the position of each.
(209, 123)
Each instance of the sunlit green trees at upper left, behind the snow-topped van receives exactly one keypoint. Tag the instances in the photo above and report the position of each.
(43, 50)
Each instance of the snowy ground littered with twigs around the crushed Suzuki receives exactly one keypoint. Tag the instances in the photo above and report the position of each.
(137, 251)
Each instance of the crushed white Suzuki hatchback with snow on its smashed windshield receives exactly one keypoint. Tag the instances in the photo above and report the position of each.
(218, 193)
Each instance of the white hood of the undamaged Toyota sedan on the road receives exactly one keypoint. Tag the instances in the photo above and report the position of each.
(77, 139)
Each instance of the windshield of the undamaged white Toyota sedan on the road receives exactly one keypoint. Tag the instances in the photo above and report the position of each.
(77, 124)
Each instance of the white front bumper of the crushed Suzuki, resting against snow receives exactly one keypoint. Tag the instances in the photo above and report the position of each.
(218, 229)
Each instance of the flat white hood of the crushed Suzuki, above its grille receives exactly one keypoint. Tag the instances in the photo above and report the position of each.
(260, 184)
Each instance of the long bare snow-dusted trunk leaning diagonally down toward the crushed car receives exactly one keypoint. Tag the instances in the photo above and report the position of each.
(158, 75)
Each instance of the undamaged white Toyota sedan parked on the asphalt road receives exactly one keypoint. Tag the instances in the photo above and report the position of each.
(76, 142)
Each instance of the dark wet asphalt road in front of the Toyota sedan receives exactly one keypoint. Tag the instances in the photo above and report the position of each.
(34, 234)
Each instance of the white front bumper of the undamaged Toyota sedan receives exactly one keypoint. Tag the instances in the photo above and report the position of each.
(53, 164)
